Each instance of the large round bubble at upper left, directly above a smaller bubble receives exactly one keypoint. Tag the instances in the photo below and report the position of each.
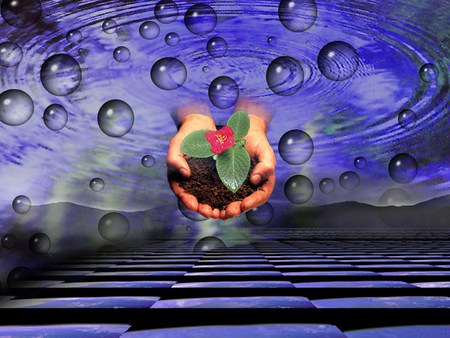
(60, 74)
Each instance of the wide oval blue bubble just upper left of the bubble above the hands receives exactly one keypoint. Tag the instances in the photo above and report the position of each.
(168, 73)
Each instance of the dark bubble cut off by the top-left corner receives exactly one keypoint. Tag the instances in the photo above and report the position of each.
(21, 13)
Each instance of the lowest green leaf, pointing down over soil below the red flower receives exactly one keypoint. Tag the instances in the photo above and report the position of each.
(233, 166)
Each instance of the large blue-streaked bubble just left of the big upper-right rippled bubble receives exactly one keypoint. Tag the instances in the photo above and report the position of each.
(285, 76)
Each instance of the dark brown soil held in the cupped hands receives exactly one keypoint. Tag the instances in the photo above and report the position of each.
(205, 184)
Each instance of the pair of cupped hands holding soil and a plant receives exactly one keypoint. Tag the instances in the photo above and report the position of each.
(197, 117)
